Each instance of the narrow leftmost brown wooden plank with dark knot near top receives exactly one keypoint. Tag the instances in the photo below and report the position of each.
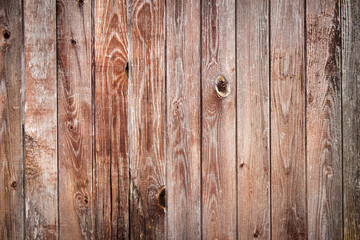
(11, 148)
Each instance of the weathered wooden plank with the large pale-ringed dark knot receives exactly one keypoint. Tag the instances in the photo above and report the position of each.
(218, 120)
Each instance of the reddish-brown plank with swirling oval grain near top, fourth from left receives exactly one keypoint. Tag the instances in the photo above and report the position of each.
(111, 120)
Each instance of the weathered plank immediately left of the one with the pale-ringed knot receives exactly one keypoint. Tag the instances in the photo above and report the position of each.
(183, 119)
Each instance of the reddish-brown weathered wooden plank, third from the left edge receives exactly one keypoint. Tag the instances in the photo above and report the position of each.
(74, 116)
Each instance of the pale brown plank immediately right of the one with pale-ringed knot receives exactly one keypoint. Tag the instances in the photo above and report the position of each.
(253, 119)
